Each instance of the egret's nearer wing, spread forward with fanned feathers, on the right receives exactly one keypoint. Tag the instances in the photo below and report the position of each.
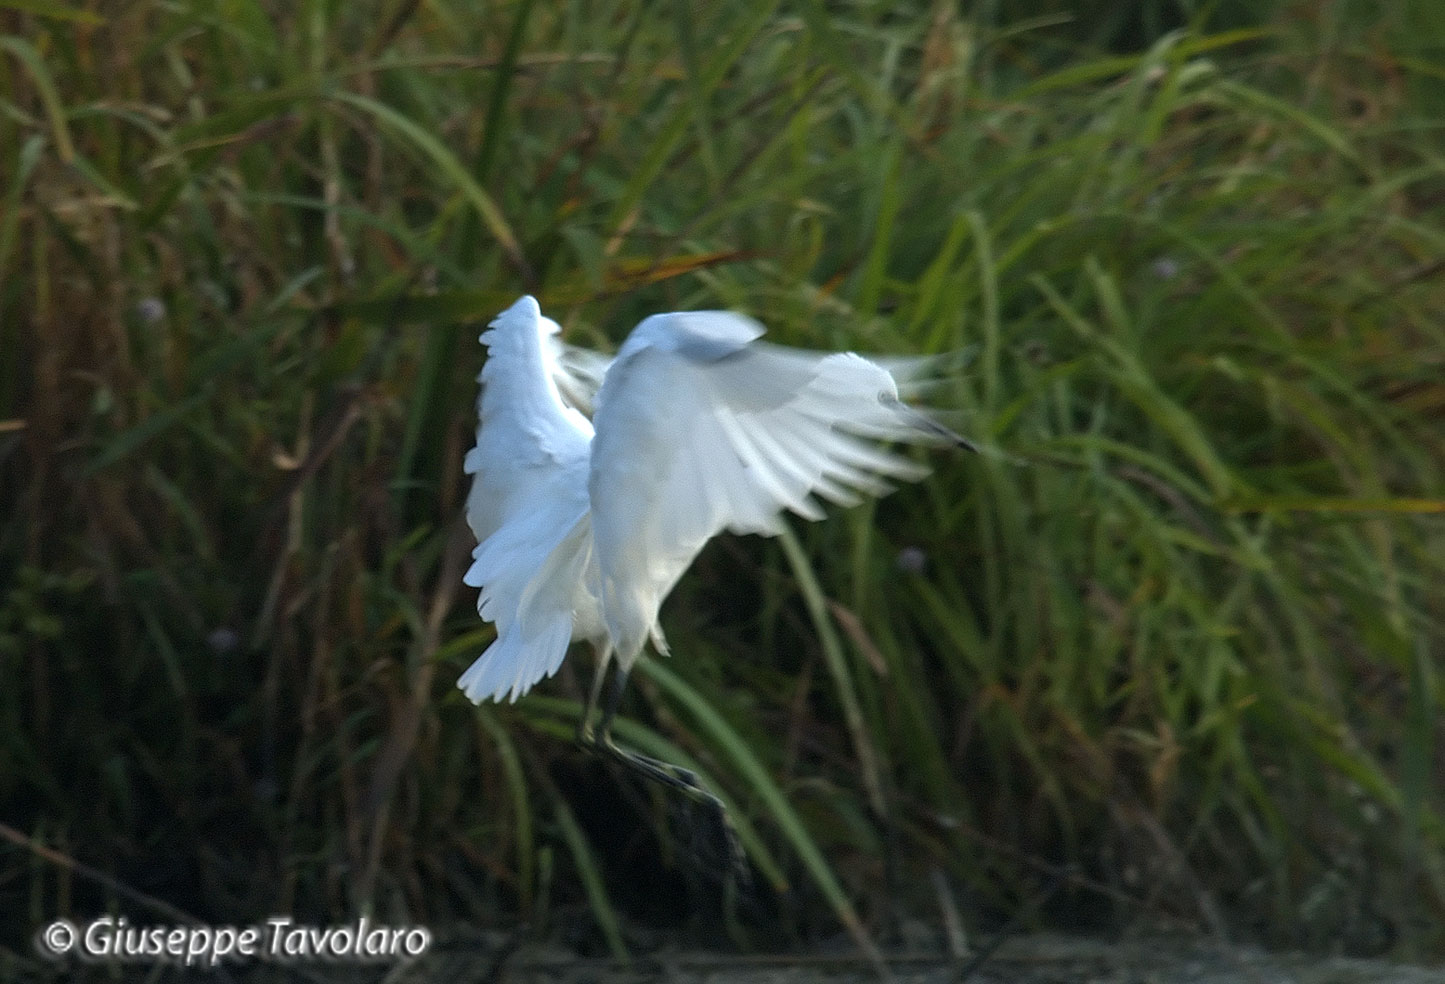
(702, 428)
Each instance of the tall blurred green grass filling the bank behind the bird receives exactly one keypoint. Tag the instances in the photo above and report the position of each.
(1184, 635)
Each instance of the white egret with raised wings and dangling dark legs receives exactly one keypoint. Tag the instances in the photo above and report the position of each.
(585, 527)
